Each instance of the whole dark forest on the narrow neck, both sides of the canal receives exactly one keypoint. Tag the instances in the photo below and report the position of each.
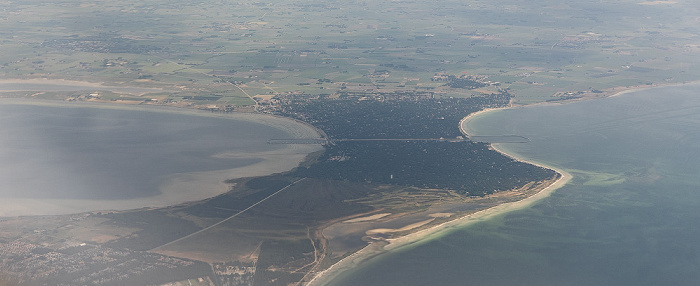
(469, 167)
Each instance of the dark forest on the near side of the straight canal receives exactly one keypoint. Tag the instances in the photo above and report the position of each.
(470, 168)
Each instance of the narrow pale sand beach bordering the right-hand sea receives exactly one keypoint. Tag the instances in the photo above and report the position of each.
(375, 249)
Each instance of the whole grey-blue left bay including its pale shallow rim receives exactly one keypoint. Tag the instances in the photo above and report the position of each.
(68, 158)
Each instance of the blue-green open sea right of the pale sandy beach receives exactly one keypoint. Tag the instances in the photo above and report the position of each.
(629, 217)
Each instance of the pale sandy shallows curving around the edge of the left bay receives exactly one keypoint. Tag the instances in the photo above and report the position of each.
(175, 188)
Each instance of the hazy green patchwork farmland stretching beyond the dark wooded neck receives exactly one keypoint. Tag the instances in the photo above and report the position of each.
(226, 54)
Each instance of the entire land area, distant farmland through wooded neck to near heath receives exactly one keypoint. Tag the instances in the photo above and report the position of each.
(424, 64)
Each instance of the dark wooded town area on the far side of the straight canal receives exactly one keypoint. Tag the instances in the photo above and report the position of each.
(404, 118)
